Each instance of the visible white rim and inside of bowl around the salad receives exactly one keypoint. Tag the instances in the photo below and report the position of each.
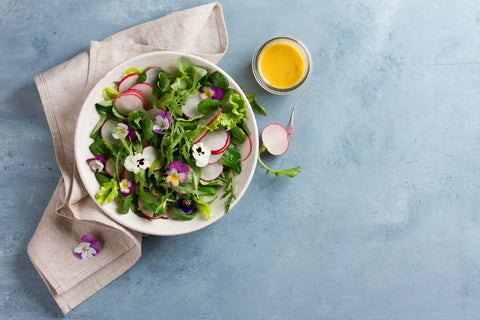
(89, 117)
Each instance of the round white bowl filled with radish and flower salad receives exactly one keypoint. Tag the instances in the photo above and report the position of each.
(166, 143)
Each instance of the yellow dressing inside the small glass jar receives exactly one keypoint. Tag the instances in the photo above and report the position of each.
(281, 65)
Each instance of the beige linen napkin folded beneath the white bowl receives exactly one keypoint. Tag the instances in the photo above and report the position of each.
(71, 213)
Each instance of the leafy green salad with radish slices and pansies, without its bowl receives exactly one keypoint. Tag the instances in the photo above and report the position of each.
(167, 142)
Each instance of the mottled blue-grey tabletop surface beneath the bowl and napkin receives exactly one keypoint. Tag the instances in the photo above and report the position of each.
(383, 222)
